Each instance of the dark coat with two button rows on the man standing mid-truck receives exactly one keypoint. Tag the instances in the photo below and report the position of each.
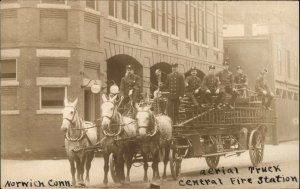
(175, 85)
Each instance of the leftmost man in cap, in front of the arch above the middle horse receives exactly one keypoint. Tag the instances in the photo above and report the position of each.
(130, 86)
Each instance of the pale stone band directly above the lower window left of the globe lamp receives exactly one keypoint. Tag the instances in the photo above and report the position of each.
(54, 81)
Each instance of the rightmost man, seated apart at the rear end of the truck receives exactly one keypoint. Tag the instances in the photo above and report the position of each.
(263, 90)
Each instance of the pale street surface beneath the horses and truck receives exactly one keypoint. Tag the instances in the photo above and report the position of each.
(285, 158)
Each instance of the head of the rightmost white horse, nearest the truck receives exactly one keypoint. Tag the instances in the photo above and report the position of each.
(145, 120)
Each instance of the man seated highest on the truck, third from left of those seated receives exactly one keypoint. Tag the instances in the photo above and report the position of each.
(227, 84)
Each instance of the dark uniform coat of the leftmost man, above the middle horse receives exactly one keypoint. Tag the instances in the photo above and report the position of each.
(129, 82)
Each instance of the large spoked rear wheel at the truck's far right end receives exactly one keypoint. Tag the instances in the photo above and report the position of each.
(256, 147)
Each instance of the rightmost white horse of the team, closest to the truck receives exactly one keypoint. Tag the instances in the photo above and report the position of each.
(156, 133)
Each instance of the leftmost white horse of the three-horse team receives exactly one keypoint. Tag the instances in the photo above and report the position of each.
(78, 135)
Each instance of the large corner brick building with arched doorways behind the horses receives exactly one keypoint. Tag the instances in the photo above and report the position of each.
(52, 49)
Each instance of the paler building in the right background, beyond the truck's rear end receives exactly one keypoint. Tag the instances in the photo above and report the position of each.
(261, 35)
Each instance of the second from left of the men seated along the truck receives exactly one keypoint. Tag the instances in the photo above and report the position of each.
(211, 87)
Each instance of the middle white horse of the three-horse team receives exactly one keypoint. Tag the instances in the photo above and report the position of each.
(115, 126)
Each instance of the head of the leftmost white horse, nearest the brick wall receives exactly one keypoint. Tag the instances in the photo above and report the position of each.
(70, 115)
